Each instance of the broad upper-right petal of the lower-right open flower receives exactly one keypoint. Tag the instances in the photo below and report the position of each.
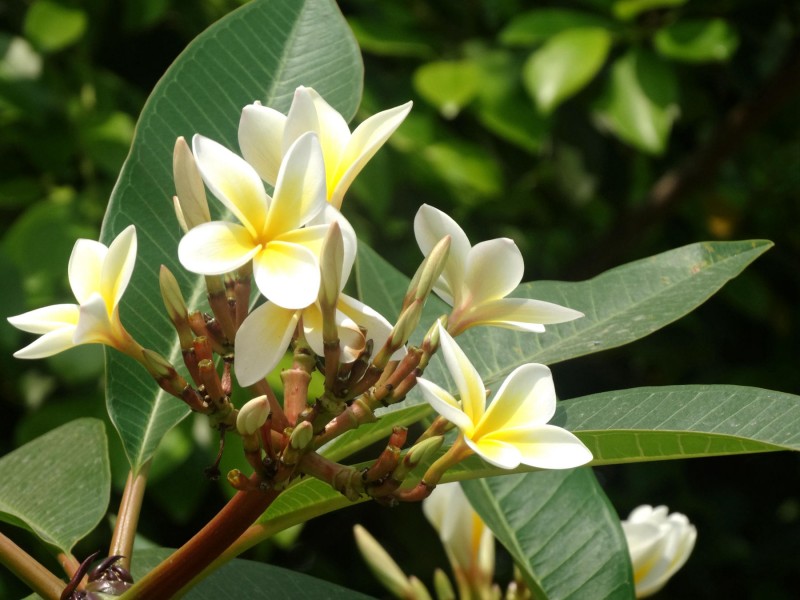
(527, 397)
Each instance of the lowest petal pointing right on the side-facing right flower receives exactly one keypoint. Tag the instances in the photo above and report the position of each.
(521, 314)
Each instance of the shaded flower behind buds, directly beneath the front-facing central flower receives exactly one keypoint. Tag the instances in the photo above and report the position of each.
(262, 339)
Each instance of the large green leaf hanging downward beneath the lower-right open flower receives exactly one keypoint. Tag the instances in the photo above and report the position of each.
(561, 531)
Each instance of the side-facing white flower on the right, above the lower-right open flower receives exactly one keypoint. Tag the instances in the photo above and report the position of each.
(477, 279)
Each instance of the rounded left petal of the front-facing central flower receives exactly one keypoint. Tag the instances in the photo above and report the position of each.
(216, 248)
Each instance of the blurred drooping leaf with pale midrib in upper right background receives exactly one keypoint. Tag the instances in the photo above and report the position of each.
(639, 103)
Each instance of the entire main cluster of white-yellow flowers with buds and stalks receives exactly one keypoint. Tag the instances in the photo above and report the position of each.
(275, 275)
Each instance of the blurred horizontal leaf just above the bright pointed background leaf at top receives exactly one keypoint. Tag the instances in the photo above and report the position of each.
(541, 24)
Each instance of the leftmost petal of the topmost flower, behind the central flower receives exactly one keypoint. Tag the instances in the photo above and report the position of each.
(260, 138)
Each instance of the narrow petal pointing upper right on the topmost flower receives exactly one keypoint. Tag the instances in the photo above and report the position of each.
(365, 141)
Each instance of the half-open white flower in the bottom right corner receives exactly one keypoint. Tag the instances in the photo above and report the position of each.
(659, 544)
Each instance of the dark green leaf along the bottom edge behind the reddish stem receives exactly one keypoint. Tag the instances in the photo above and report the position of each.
(248, 579)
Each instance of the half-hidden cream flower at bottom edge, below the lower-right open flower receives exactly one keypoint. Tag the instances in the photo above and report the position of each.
(469, 543)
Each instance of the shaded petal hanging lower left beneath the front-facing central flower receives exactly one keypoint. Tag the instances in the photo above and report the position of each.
(262, 341)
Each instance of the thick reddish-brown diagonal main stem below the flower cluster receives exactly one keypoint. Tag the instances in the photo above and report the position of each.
(168, 578)
